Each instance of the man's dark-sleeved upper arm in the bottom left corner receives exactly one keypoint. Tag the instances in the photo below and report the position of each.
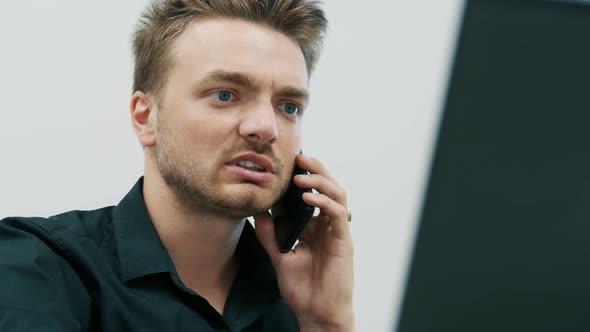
(39, 291)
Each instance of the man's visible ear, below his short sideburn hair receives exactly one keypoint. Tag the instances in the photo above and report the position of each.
(143, 118)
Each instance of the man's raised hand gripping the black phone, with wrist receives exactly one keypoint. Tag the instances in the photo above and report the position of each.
(315, 278)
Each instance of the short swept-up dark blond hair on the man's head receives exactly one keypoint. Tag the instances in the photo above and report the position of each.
(165, 20)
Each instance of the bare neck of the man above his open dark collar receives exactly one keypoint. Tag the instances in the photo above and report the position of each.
(201, 246)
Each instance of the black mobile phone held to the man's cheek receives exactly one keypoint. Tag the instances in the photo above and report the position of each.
(290, 214)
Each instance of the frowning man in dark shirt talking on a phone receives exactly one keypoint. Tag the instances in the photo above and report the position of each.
(220, 88)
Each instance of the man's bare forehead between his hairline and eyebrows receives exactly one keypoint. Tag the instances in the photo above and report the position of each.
(239, 46)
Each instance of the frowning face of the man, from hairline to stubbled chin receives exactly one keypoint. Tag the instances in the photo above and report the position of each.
(231, 98)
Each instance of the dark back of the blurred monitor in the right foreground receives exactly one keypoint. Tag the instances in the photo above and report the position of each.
(504, 237)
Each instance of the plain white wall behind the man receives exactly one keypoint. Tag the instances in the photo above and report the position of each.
(66, 141)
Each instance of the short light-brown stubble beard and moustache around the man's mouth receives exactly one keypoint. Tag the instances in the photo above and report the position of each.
(198, 188)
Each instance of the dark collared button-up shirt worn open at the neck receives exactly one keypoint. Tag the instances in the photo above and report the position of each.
(107, 270)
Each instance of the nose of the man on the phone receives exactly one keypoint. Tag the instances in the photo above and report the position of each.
(259, 124)
